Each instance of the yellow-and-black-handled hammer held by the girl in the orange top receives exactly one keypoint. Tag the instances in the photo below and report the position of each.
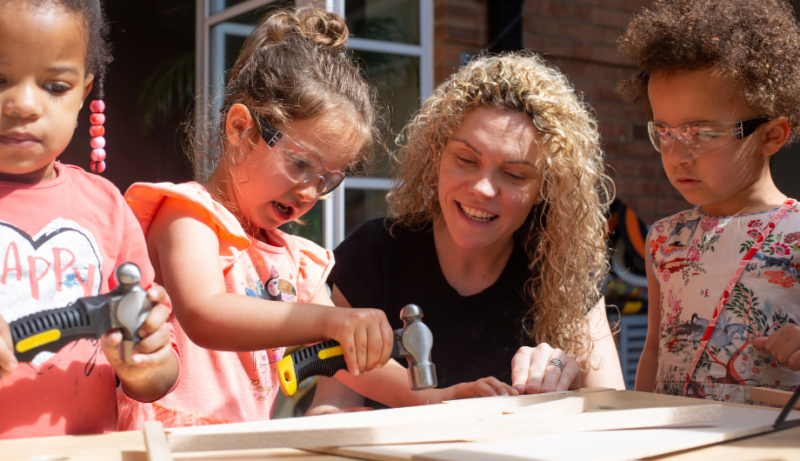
(413, 341)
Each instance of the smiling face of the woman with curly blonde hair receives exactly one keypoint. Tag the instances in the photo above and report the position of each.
(489, 177)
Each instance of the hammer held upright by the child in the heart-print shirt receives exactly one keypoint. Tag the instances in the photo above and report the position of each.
(125, 307)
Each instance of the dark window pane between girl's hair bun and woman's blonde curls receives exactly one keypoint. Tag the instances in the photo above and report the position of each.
(397, 79)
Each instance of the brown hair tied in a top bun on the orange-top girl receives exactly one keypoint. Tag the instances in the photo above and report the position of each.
(293, 66)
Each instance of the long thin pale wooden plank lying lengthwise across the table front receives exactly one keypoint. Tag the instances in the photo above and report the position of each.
(464, 429)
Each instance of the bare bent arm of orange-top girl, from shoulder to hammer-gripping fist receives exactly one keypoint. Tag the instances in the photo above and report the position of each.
(186, 260)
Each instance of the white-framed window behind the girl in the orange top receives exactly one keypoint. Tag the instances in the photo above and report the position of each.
(392, 39)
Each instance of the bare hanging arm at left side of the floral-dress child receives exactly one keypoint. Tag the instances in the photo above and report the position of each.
(648, 362)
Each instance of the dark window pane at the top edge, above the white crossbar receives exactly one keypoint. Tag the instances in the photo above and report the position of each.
(386, 20)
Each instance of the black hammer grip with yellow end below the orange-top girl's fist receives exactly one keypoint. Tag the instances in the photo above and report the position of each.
(323, 359)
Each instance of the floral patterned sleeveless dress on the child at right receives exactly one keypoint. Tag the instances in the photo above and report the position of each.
(693, 258)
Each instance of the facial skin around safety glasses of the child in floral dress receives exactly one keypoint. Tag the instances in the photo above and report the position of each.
(734, 180)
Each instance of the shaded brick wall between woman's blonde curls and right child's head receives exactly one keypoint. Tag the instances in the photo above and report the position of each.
(579, 37)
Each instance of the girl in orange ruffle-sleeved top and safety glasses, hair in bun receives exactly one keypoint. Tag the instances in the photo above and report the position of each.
(296, 114)
